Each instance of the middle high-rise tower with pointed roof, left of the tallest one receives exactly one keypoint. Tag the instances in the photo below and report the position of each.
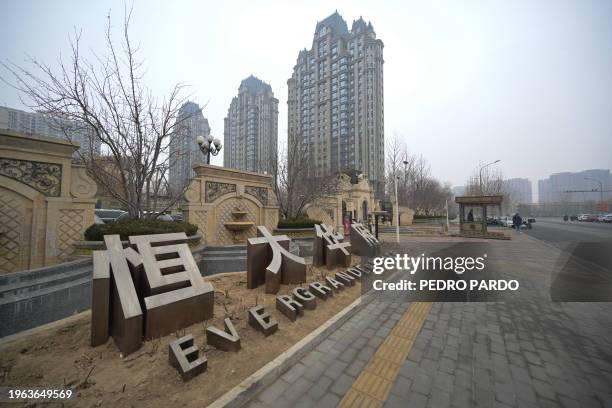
(251, 128)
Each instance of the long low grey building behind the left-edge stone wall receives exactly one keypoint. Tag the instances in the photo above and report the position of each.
(37, 123)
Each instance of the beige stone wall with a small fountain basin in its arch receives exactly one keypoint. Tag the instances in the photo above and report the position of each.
(216, 192)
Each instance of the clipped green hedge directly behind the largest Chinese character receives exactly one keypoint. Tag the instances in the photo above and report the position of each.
(127, 228)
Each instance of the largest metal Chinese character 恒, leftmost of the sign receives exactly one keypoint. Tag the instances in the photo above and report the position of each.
(154, 287)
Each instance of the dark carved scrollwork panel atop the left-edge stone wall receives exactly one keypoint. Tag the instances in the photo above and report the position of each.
(44, 177)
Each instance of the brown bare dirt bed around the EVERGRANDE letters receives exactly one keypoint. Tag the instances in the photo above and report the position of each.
(61, 356)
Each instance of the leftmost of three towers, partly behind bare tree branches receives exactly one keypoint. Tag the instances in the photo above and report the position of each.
(184, 151)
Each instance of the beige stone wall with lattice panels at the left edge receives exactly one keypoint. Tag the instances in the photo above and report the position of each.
(45, 201)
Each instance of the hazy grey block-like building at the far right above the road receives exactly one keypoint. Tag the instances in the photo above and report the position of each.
(554, 189)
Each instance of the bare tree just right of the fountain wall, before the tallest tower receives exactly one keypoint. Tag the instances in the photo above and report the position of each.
(295, 186)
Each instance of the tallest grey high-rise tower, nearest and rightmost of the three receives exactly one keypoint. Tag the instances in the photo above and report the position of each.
(335, 101)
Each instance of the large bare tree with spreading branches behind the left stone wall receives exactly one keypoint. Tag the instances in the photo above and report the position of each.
(107, 94)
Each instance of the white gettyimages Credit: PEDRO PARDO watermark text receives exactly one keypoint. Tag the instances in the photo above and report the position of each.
(438, 264)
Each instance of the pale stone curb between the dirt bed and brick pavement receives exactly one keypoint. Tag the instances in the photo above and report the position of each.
(252, 385)
